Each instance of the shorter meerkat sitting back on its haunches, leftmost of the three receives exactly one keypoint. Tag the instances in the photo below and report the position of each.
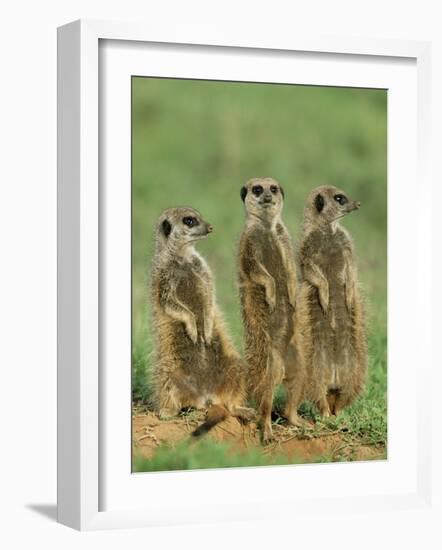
(196, 364)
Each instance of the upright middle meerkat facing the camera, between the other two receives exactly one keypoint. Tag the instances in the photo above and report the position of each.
(267, 284)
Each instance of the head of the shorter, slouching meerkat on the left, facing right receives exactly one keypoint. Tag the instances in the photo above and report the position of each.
(179, 227)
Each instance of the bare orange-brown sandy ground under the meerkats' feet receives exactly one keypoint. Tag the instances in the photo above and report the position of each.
(149, 432)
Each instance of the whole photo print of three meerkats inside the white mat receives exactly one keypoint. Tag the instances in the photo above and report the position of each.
(259, 274)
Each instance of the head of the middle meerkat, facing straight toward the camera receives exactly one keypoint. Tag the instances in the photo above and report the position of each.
(263, 197)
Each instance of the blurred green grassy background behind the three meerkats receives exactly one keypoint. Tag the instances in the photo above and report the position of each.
(194, 143)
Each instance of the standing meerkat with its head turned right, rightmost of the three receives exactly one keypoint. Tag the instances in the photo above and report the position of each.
(330, 313)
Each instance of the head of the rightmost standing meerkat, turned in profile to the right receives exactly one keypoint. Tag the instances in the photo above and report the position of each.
(327, 204)
